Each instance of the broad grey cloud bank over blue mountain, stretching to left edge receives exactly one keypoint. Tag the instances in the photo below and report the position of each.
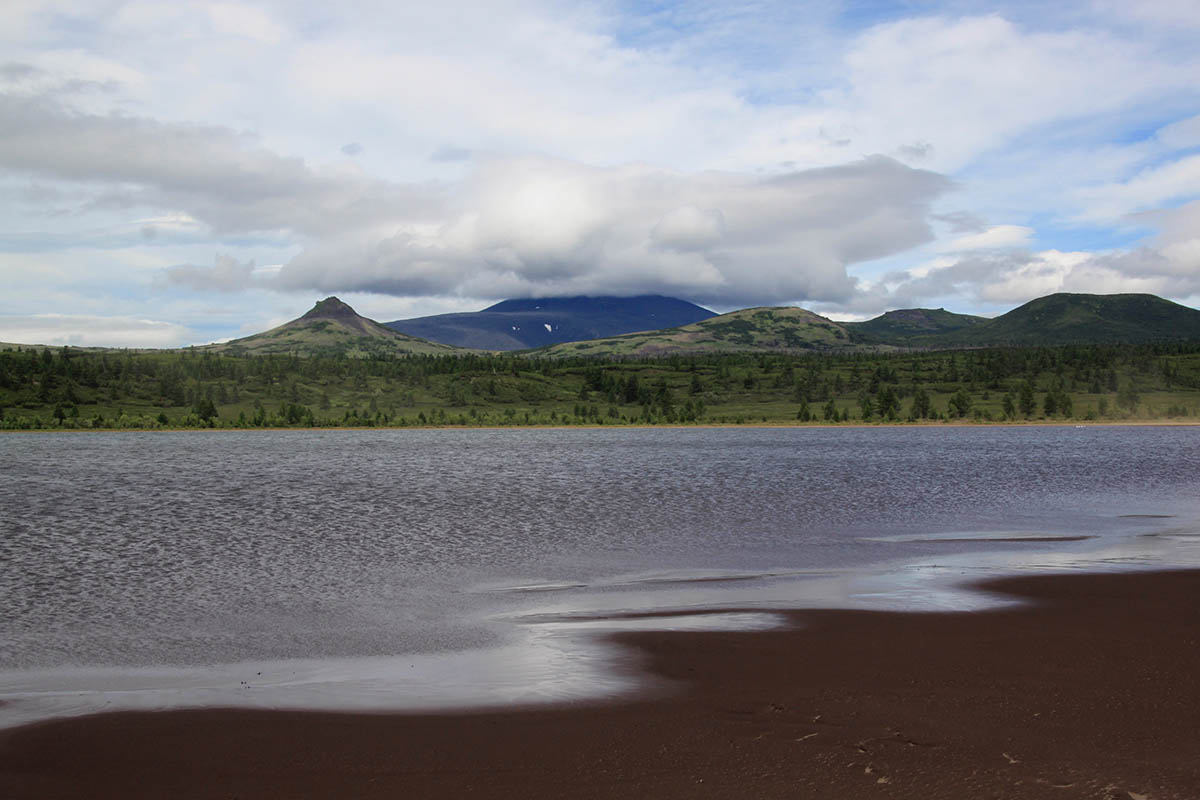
(515, 226)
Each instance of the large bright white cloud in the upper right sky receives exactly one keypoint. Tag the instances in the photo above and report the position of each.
(964, 87)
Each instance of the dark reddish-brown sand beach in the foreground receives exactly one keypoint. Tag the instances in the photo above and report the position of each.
(1091, 690)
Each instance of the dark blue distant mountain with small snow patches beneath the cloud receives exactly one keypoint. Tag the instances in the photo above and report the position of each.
(541, 322)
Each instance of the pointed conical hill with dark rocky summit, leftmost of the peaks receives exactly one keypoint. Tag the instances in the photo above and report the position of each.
(333, 329)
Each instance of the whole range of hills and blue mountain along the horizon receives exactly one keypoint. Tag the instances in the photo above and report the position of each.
(332, 328)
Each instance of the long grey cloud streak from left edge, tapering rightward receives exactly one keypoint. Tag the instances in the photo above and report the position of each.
(223, 178)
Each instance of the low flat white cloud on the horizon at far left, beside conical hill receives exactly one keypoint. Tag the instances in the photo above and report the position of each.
(82, 330)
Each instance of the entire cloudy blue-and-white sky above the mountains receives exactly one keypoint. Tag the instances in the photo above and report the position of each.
(181, 173)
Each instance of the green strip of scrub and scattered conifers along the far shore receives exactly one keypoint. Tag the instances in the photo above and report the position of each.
(79, 389)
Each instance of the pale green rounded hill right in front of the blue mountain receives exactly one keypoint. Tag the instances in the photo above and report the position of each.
(779, 330)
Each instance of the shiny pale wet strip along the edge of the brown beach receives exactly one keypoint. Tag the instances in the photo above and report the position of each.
(561, 652)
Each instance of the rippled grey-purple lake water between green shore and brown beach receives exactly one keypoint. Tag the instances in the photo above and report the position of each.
(430, 569)
